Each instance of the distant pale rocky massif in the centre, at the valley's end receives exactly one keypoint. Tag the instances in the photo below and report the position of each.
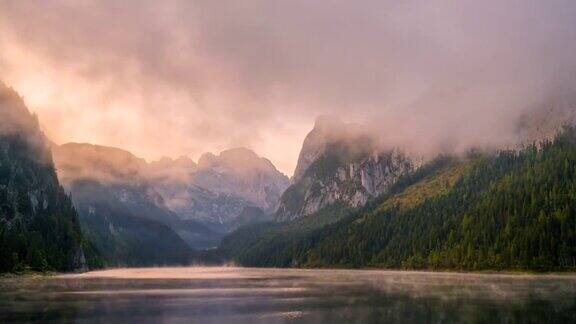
(220, 188)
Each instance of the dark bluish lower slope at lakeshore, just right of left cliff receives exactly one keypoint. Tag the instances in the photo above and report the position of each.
(126, 237)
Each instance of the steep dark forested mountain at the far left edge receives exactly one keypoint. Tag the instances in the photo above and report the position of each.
(39, 227)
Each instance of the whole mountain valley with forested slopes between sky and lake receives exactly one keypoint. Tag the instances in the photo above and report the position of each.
(351, 203)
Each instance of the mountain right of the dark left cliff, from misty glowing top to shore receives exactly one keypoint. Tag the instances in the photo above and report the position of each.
(121, 212)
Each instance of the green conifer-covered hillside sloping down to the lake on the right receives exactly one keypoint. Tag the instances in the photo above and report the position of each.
(514, 210)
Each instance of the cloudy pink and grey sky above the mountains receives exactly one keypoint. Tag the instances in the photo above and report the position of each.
(182, 77)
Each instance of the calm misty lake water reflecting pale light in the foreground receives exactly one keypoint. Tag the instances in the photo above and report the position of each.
(239, 295)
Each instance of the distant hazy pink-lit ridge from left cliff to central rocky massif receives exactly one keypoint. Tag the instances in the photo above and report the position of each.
(213, 192)
